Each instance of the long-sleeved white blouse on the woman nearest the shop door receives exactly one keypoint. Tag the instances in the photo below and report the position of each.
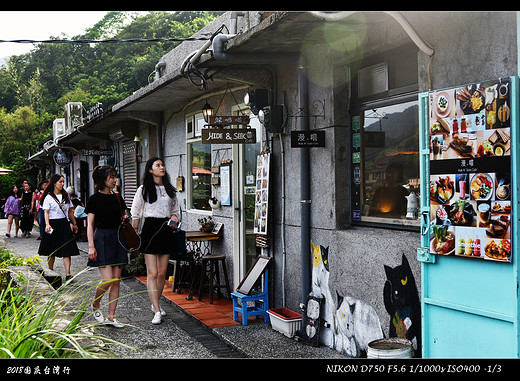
(162, 208)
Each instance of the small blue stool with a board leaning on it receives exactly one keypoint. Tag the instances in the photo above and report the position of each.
(260, 299)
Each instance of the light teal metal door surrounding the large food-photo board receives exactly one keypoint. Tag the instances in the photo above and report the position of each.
(469, 306)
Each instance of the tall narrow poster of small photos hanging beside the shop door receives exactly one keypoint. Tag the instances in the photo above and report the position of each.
(262, 193)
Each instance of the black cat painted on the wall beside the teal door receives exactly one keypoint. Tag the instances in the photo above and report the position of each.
(402, 302)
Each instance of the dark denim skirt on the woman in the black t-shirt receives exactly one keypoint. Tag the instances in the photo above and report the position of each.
(109, 244)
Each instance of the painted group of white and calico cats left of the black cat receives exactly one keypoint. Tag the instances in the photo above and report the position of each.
(350, 327)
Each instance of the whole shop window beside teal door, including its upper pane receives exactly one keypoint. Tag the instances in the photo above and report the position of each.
(385, 145)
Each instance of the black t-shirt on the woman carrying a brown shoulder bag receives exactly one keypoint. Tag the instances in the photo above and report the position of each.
(106, 210)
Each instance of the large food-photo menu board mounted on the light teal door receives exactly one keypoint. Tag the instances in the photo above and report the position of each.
(470, 170)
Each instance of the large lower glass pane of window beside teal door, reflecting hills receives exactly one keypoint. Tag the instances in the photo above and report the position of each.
(387, 167)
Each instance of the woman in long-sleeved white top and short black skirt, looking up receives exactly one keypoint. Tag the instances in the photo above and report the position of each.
(156, 202)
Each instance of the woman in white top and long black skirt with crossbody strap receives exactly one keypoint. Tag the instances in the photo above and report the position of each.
(58, 240)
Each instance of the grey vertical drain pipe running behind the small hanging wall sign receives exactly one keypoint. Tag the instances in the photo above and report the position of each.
(305, 182)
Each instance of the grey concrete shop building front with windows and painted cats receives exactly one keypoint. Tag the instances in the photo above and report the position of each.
(338, 148)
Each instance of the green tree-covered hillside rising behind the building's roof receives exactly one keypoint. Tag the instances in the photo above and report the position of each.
(34, 87)
